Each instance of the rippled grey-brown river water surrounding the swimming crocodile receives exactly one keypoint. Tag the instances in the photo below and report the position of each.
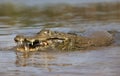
(102, 61)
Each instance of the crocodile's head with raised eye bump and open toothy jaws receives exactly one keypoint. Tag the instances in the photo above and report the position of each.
(40, 41)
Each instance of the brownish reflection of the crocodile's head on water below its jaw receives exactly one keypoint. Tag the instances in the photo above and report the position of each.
(39, 59)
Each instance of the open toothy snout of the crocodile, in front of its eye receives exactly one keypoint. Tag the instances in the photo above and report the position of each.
(28, 43)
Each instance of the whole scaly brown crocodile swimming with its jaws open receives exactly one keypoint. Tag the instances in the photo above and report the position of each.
(47, 39)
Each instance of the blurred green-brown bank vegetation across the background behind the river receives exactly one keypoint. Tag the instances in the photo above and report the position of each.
(22, 14)
